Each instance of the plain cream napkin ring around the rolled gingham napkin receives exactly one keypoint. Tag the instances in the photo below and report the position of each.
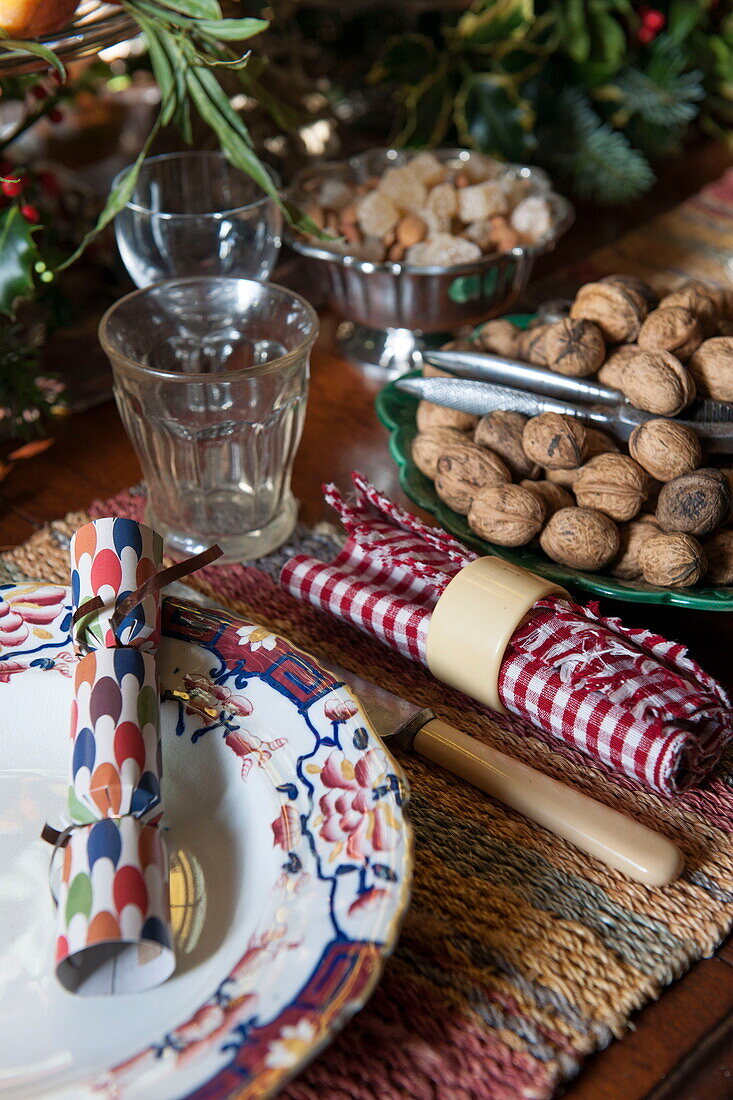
(474, 622)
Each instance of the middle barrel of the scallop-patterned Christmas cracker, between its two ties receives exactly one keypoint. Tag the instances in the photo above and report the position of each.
(116, 757)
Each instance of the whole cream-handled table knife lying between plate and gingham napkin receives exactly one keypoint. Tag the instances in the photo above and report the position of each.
(616, 840)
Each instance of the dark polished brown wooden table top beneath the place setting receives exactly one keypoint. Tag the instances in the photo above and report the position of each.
(682, 1047)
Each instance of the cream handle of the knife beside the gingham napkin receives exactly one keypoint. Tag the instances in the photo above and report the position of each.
(616, 840)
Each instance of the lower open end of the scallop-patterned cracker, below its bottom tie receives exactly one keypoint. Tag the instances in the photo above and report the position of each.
(114, 919)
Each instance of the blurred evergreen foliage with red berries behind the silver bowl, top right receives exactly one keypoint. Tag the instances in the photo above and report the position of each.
(589, 89)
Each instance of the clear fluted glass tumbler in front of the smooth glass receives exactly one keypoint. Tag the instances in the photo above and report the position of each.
(211, 380)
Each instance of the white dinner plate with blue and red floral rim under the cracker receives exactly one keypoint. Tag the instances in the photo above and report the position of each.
(290, 864)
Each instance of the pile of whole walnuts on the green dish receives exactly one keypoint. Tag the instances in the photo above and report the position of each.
(655, 514)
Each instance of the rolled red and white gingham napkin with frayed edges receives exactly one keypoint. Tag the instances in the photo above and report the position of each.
(627, 697)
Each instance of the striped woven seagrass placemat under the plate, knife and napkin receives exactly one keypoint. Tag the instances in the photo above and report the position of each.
(520, 955)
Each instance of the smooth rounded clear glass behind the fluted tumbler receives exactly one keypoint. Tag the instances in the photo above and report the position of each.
(194, 214)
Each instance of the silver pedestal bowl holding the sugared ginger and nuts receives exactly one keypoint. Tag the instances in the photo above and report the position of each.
(393, 309)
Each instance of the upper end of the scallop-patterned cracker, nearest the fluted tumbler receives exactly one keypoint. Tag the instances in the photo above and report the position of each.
(112, 558)
